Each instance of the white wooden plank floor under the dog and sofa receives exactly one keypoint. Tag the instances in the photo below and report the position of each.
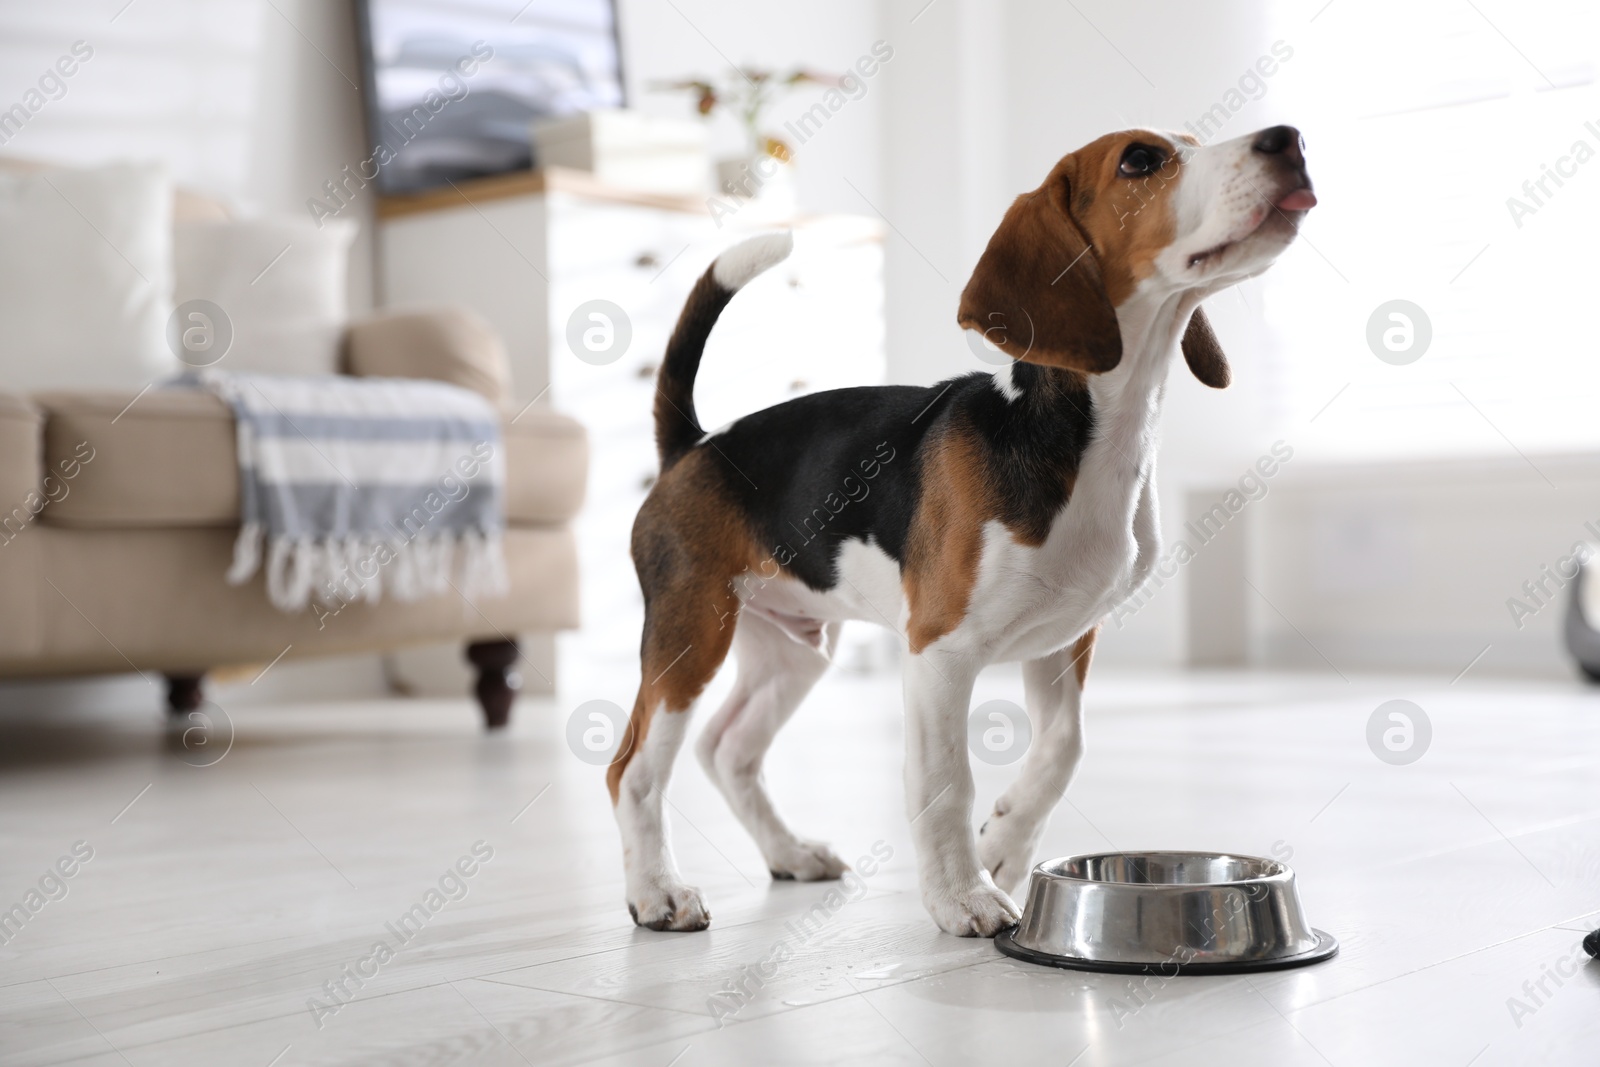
(220, 900)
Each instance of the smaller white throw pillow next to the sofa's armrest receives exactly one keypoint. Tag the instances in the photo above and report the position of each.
(282, 286)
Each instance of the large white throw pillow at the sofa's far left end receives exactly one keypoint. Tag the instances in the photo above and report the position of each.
(86, 278)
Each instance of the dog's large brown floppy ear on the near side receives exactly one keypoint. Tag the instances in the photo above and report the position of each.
(1038, 292)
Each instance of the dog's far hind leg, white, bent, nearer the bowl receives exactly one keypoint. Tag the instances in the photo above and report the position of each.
(775, 674)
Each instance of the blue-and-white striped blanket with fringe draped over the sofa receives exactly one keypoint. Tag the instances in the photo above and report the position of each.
(356, 487)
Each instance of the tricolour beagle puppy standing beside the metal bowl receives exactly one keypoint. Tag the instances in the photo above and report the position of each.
(986, 519)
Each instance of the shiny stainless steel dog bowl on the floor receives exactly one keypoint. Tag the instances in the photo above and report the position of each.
(1166, 914)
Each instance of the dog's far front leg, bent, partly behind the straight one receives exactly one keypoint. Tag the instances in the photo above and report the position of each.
(1055, 703)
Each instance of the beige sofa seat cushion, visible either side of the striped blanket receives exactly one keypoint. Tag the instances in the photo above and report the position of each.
(170, 460)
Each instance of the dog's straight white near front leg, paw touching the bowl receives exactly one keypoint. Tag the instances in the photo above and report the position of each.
(956, 889)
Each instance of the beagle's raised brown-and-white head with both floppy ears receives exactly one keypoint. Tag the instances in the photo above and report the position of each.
(1135, 214)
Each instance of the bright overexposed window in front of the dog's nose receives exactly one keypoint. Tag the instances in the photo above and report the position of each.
(1423, 122)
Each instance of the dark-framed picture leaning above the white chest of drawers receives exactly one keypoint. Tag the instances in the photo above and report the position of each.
(455, 86)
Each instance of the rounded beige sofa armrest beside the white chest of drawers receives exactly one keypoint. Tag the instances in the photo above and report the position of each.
(449, 345)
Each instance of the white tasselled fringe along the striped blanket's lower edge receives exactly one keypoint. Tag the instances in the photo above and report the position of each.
(337, 572)
